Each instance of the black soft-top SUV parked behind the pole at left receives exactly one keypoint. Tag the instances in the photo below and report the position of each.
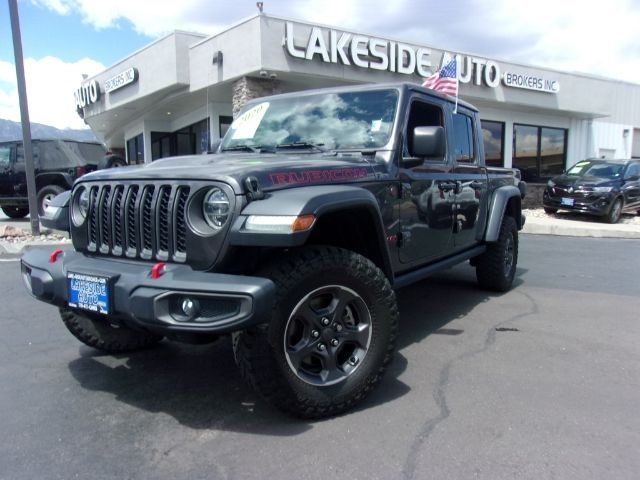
(58, 163)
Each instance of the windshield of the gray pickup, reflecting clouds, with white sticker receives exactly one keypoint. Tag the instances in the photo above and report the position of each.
(352, 120)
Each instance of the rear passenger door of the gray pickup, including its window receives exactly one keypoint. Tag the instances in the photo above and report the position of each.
(470, 175)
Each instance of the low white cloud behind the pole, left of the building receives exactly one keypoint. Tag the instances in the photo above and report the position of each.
(50, 86)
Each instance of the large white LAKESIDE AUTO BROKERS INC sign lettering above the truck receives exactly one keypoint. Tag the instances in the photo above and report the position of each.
(332, 46)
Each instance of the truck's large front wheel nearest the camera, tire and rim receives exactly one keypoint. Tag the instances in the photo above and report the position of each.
(331, 335)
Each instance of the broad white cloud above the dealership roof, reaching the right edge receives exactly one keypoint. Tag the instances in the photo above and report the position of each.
(588, 36)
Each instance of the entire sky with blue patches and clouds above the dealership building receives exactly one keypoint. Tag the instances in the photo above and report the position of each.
(62, 39)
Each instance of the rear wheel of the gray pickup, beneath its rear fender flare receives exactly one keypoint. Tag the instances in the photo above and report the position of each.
(496, 268)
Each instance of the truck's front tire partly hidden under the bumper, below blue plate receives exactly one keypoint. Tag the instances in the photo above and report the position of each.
(101, 335)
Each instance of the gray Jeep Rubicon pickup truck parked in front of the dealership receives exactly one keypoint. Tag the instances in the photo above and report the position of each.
(290, 239)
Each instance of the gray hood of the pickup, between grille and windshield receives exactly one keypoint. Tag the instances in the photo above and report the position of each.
(273, 171)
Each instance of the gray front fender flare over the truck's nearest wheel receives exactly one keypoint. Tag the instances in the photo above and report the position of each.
(318, 200)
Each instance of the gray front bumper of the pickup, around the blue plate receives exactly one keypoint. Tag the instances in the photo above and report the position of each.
(227, 302)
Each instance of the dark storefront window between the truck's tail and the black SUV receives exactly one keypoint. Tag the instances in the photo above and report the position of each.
(539, 152)
